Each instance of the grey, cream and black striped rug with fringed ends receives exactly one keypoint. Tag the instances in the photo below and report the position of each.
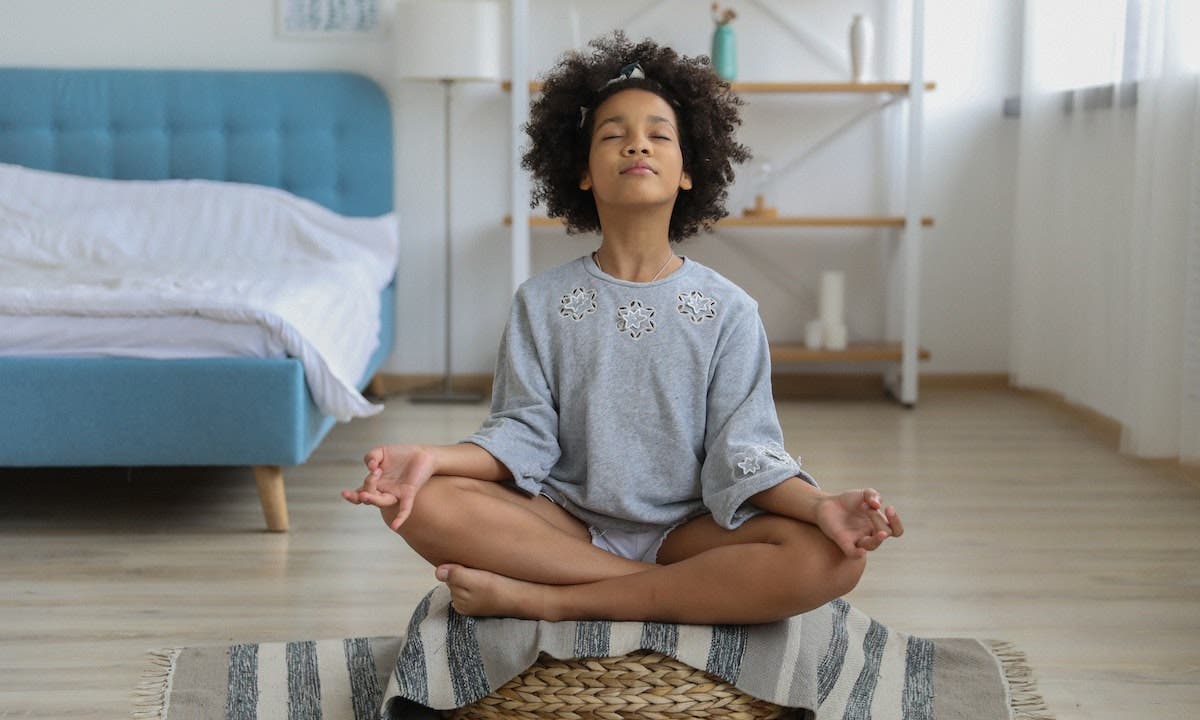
(835, 661)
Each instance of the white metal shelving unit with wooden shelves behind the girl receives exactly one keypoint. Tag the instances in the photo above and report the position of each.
(903, 357)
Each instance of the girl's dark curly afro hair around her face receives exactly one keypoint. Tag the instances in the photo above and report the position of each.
(705, 105)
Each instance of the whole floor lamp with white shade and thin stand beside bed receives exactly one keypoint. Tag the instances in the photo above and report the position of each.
(448, 41)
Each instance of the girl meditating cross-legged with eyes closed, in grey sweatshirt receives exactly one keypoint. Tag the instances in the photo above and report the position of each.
(633, 467)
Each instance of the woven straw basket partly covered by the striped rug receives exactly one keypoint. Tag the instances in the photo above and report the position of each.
(641, 686)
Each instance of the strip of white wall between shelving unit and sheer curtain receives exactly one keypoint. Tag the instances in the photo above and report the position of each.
(974, 52)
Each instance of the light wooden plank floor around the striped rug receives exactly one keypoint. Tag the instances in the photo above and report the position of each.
(1023, 526)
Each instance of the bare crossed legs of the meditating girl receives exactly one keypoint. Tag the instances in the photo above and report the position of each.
(506, 555)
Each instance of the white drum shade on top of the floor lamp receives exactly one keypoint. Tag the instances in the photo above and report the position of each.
(448, 40)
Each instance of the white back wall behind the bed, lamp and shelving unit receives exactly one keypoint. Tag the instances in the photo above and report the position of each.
(970, 53)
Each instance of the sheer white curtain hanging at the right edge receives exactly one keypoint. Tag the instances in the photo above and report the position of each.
(1107, 247)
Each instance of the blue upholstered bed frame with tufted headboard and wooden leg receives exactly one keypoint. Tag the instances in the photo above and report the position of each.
(323, 136)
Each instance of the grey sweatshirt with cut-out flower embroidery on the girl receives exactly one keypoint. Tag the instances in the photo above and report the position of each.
(638, 406)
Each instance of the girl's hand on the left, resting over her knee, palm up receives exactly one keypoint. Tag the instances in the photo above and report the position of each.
(395, 475)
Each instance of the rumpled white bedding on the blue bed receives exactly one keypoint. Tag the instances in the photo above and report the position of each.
(74, 249)
